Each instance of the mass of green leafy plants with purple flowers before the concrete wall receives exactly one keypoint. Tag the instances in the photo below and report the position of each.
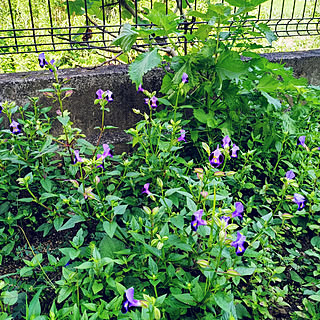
(214, 214)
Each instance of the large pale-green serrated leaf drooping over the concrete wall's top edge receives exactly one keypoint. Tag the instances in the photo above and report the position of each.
(143, 63)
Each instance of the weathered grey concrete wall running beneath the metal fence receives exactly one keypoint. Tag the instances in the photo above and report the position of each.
(86, 115)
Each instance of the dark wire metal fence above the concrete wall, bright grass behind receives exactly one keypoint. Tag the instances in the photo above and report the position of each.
(60, 25)
